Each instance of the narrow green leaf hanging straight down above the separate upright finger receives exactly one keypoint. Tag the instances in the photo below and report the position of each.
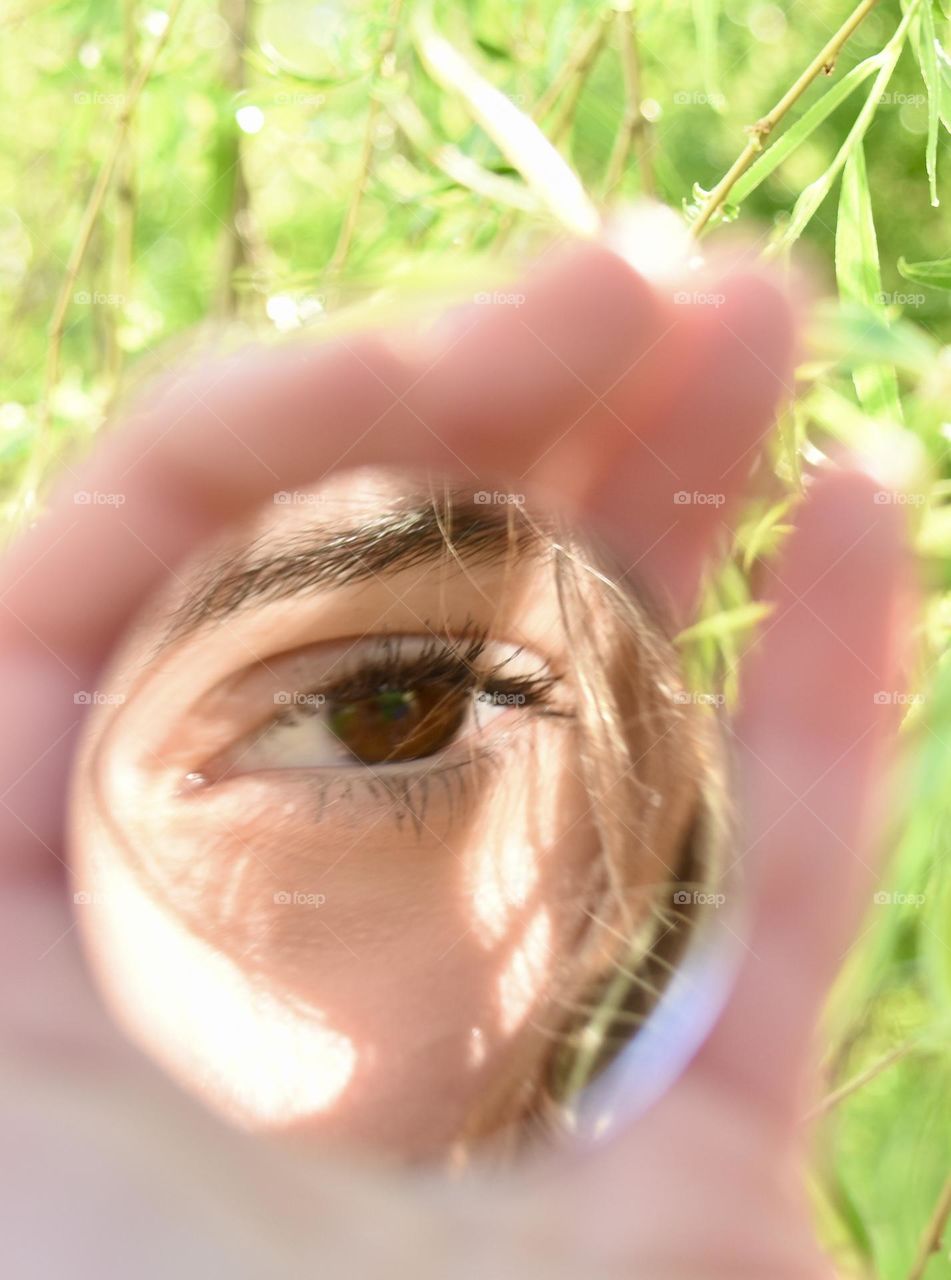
(861, 281)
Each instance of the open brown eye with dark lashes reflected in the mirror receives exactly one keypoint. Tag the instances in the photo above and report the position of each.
(391, 702)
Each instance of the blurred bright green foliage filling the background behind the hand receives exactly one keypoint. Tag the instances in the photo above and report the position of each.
(272, 161)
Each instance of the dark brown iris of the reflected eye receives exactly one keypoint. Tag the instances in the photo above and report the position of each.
(401, 724)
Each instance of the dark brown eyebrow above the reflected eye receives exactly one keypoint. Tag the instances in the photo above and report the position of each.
(419, 532)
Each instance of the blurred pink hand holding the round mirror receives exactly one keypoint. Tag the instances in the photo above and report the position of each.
(606, 396)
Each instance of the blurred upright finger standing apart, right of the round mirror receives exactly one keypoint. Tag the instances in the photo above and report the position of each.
(813, 740)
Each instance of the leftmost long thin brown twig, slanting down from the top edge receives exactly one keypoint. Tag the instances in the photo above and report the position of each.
(81, 246)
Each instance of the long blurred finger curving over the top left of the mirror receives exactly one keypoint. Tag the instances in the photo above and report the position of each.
(208, 449)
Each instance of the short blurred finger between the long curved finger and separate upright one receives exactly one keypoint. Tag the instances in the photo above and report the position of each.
(696, 415)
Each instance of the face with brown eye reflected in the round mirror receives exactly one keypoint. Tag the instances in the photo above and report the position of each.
(336, 856)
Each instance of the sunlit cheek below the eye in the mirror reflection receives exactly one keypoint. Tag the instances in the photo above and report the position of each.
(362, 977)
